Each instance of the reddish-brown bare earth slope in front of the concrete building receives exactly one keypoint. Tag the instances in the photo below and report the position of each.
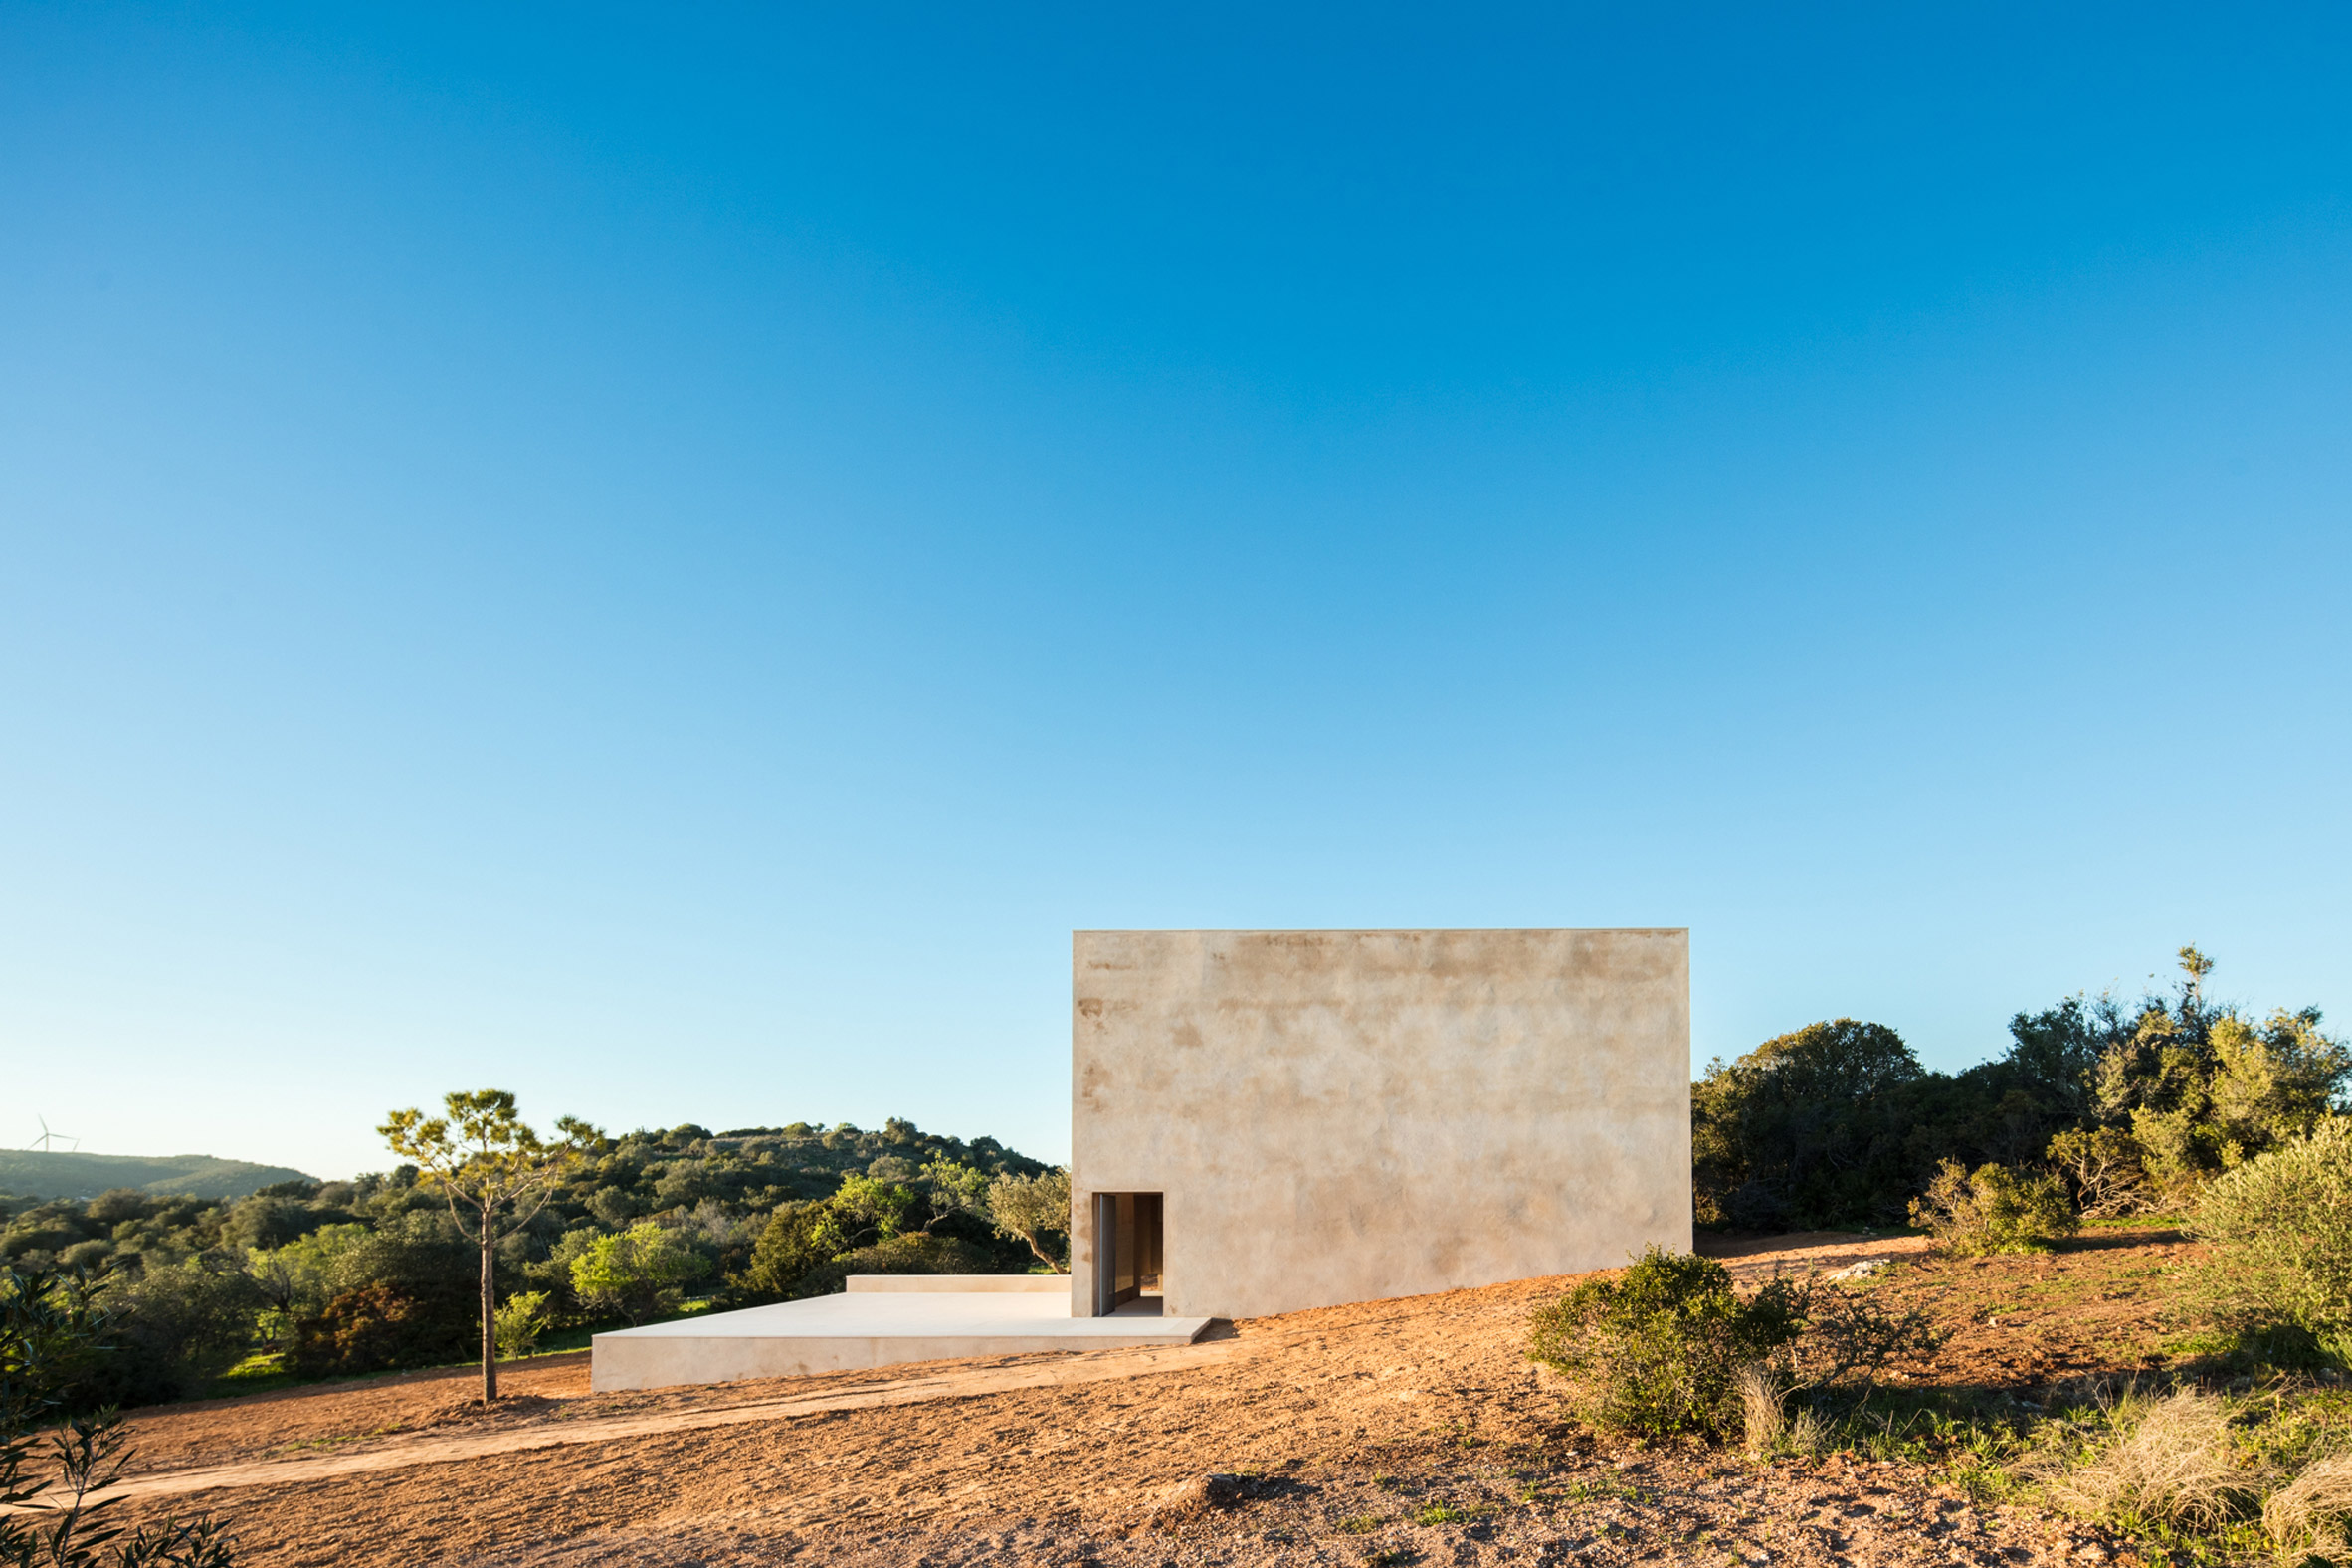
(1387, 1433)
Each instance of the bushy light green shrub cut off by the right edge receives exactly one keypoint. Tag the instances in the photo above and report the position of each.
(2280, 1235)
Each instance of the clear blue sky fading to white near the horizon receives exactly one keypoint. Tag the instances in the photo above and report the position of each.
(669, 558)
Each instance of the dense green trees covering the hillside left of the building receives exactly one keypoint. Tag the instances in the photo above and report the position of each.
(373, 1273)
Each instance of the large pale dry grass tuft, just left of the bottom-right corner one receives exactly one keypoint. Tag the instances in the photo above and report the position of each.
(2172, 1463)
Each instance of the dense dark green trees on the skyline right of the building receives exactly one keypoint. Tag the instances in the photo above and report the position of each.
(2134, 1106)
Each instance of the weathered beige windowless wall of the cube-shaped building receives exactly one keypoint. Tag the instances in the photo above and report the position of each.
(1354, 1115)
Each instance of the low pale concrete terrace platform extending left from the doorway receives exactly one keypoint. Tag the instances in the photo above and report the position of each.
(881, 1322)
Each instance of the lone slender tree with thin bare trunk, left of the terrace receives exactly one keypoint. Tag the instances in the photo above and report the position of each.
(495, 1172)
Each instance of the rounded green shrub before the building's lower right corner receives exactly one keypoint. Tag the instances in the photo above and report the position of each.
(1659, 1348)
